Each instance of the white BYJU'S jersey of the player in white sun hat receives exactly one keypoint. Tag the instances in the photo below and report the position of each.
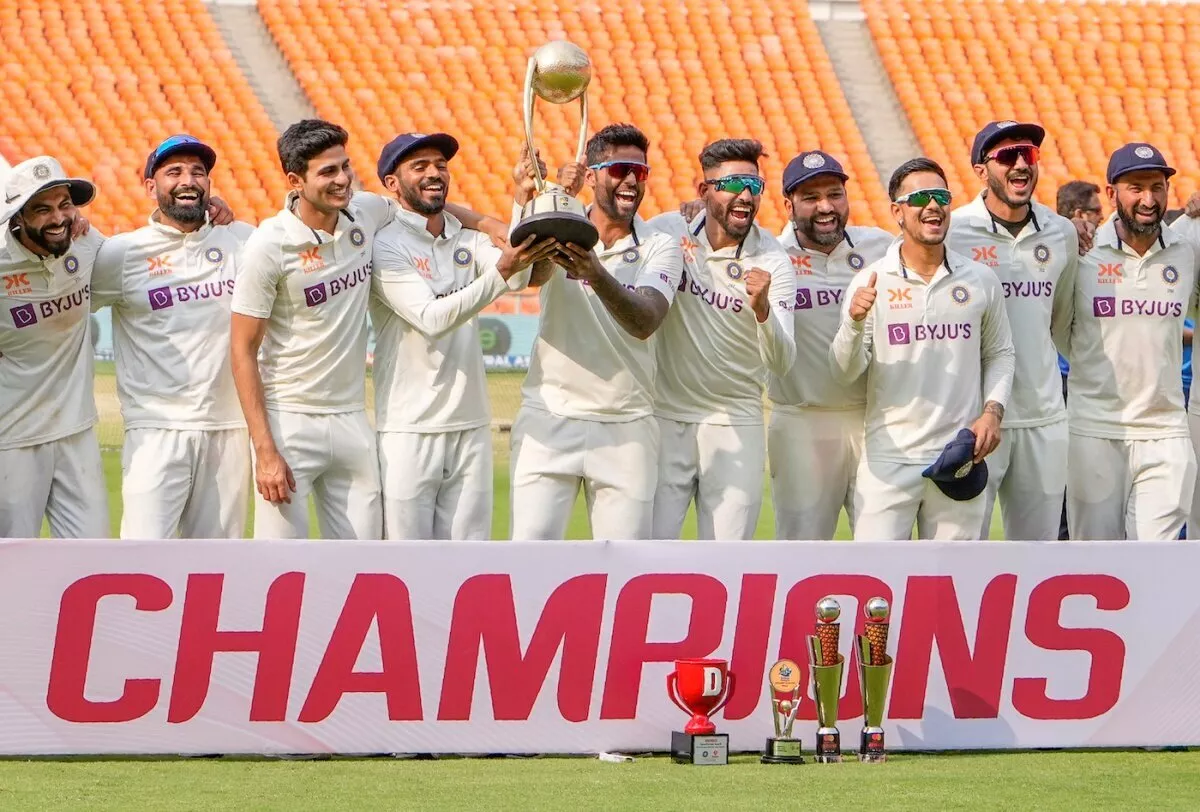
(46, 357)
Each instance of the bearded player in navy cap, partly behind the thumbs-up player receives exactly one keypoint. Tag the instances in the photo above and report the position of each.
(815, 440)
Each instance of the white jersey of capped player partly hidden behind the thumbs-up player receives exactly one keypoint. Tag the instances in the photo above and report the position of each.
(821, 282)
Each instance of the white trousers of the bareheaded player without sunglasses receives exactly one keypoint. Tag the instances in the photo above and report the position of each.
(334, 459)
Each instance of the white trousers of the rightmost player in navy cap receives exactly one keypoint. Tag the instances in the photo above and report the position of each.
(1130, 489)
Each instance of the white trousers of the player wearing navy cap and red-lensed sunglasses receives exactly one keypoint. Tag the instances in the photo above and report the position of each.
(1029, 473)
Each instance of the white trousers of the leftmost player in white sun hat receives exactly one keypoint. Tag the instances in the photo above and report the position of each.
(62, 480)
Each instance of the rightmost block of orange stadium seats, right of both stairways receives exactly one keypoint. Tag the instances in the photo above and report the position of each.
(1097, 75)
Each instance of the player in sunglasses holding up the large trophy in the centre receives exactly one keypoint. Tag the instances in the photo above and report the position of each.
(587, 406)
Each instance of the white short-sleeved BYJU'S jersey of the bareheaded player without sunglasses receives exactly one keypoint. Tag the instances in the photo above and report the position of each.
(313, 287)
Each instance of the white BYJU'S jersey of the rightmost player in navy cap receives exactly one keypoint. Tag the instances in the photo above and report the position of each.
(1126, 341)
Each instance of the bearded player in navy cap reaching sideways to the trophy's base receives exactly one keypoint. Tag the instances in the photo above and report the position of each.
(431, 279)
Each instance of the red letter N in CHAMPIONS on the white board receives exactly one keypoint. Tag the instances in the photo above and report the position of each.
(932, 613)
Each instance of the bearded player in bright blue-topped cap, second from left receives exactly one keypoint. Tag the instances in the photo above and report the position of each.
(187, 455)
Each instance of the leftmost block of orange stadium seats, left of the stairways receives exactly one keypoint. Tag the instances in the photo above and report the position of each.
(99, 83)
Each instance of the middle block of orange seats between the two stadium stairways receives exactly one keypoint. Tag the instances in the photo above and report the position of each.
(687, 73)
